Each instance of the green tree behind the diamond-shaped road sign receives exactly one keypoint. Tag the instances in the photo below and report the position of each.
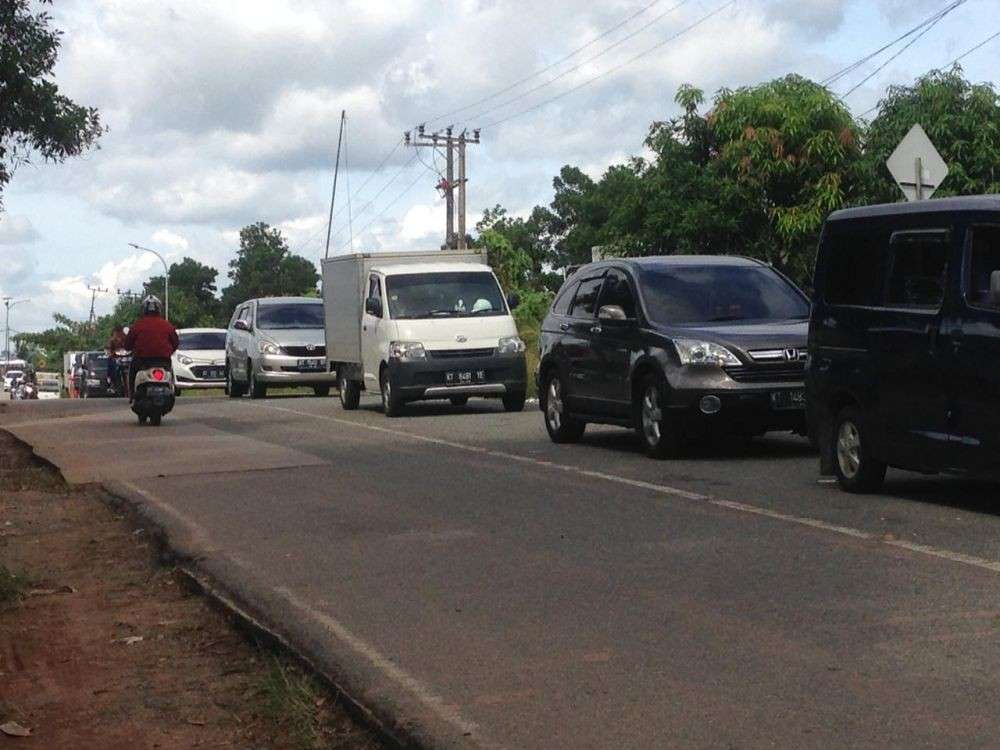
(961, 118)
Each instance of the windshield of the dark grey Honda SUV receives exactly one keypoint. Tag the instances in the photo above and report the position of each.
(679, 295)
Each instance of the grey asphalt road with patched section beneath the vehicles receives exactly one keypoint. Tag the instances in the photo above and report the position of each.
(492, 589)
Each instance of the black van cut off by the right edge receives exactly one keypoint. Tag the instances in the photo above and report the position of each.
(905, 340)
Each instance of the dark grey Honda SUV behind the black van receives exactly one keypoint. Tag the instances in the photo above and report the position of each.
(675, 347)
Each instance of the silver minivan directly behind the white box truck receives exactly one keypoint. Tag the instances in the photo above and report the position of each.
(277, 341)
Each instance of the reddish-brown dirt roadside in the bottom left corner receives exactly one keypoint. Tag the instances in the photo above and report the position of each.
(102, 647)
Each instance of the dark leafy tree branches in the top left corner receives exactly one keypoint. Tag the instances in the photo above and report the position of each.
(34, 116)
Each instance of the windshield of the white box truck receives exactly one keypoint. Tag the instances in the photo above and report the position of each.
(446, 294)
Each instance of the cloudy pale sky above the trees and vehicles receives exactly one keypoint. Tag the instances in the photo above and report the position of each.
(221, 113)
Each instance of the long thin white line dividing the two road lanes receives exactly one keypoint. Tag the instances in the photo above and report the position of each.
(662, 489)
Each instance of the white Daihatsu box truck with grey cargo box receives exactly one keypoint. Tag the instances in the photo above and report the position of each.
(421, 325)
